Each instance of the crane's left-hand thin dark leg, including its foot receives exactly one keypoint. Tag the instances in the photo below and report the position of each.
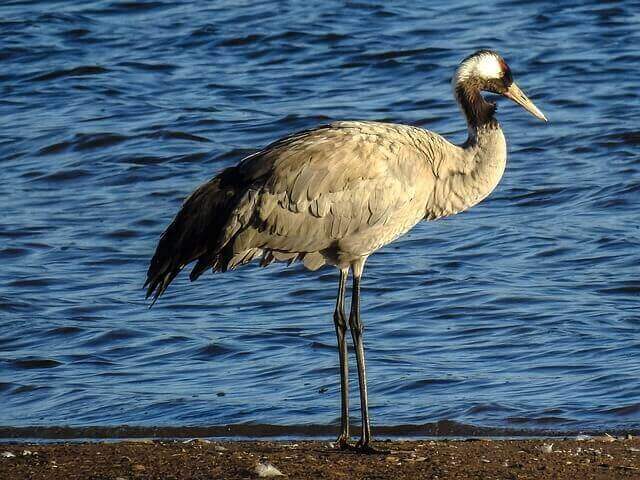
(340, 322)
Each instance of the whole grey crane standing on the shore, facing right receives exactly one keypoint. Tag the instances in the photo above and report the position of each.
(336, 193)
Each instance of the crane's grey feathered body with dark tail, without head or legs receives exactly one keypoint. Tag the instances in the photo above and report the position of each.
(328, 195)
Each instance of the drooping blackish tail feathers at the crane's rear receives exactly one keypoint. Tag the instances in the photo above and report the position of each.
(194, 233)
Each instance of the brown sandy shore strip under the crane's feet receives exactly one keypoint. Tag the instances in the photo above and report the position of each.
(603, 458)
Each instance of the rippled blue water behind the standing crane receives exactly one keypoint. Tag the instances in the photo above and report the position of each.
(522, 312)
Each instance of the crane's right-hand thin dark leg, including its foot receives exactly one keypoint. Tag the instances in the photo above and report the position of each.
(357, 328)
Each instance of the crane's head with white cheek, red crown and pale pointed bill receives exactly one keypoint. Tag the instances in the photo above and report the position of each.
(487, 71)
